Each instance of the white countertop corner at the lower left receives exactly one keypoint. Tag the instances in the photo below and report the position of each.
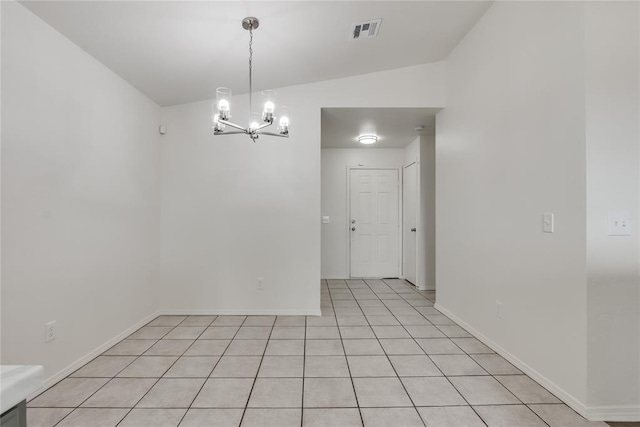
(17, 382)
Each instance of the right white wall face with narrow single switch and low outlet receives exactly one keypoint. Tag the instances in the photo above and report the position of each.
(511, 145)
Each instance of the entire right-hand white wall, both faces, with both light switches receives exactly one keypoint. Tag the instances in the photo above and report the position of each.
(546, 121)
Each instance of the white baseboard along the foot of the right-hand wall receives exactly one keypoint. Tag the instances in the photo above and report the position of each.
(560, 393)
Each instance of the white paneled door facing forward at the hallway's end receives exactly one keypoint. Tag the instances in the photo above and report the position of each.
(374, 223)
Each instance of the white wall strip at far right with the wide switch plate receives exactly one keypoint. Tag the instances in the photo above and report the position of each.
(612, 139)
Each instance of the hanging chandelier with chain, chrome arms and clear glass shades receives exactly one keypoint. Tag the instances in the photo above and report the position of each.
(222, 106)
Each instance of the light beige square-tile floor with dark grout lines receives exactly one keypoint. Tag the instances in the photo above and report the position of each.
(380, 355)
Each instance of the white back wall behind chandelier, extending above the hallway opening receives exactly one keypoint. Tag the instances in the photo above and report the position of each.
(233, 211)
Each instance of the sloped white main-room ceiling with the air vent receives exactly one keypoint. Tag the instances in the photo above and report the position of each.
(180, 51)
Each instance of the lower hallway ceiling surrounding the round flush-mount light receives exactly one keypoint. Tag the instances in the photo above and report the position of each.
(395, 127)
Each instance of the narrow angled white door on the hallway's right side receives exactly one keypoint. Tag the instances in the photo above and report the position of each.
(409, 221)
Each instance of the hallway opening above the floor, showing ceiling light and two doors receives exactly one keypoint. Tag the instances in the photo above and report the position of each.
(351, 191)
